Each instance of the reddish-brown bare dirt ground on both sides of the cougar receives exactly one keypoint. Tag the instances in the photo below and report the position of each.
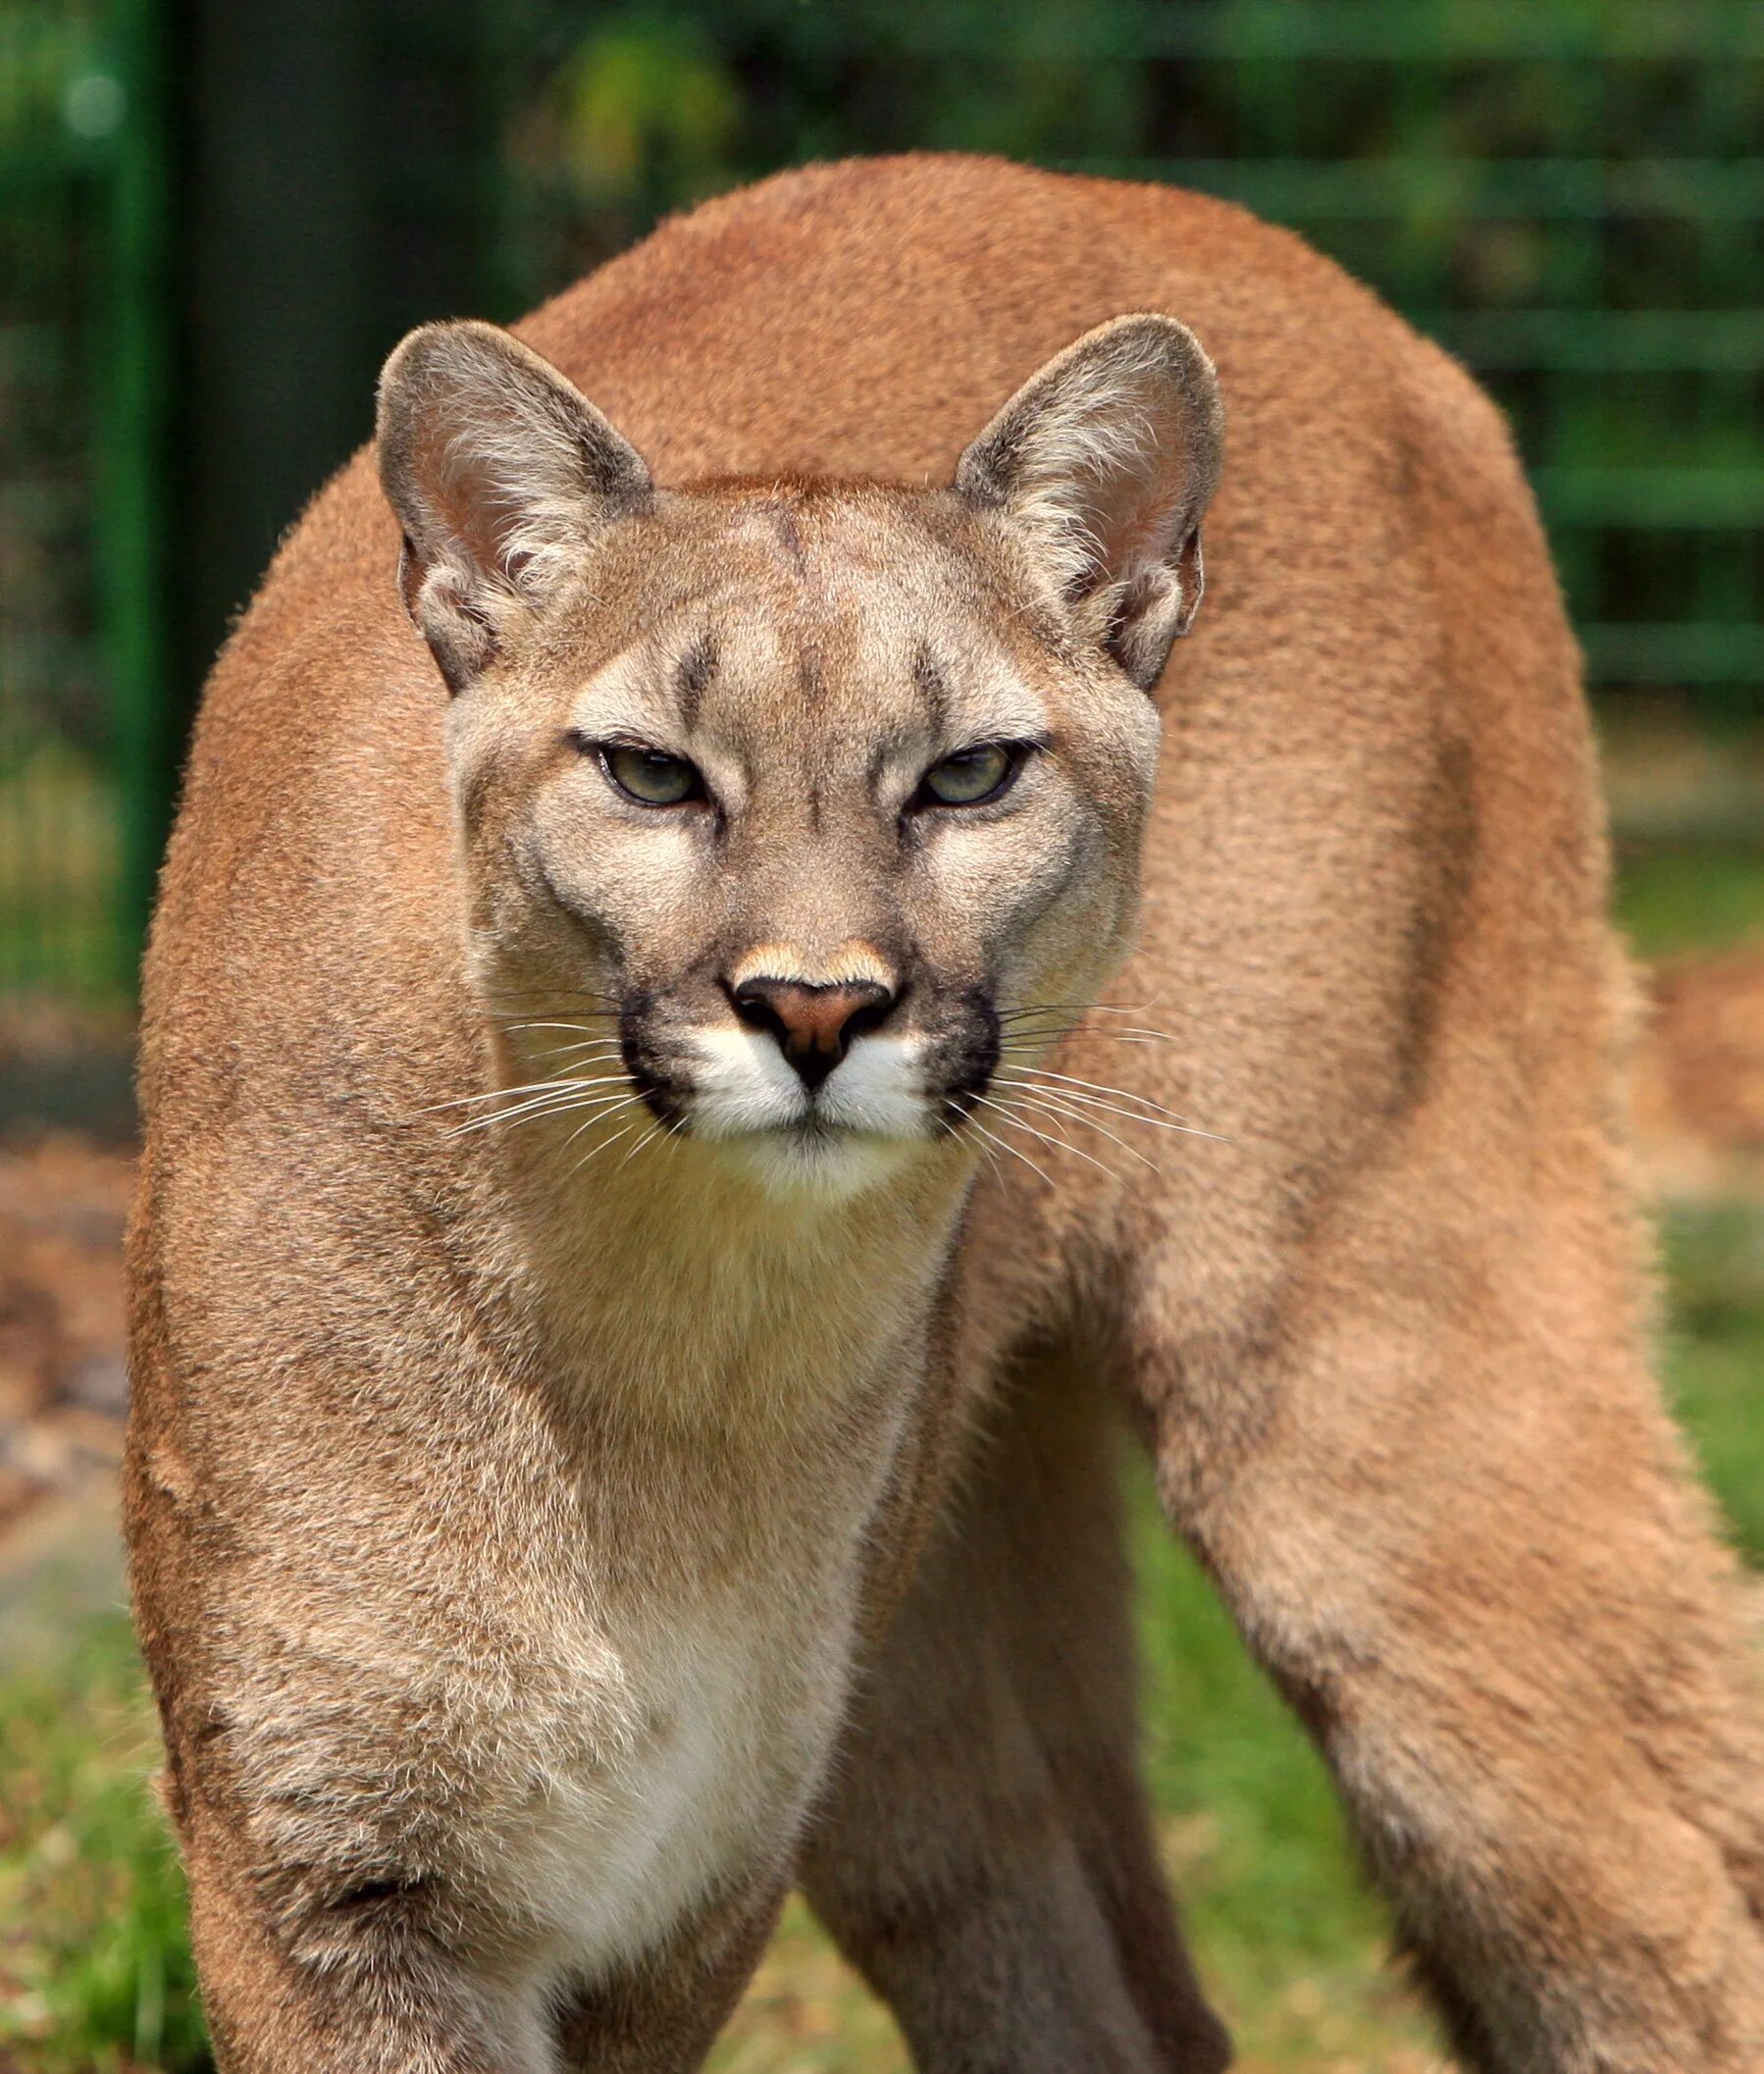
(65, 1198)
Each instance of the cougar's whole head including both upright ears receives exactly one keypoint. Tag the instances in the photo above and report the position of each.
(799, 804)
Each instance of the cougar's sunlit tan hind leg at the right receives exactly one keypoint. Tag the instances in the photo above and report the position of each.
(1452, 1519)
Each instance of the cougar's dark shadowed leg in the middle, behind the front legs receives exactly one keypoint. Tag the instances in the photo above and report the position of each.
(986, 1853)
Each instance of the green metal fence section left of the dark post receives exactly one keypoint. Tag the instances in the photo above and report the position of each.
(84, 331)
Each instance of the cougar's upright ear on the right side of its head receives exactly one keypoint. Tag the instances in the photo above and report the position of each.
(1108, 459)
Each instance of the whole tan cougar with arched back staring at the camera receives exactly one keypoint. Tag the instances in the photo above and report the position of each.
(712, 1026)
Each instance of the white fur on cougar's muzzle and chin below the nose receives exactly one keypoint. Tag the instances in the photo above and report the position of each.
(872, 1111)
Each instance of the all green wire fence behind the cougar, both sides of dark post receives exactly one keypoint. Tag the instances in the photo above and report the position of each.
(1570, 194)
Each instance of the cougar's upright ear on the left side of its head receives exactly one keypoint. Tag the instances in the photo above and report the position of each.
(501, 472)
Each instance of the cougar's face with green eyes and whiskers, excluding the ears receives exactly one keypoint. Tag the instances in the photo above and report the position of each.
(805, 833)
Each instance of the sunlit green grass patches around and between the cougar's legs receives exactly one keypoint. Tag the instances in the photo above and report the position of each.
(96, 1980)
